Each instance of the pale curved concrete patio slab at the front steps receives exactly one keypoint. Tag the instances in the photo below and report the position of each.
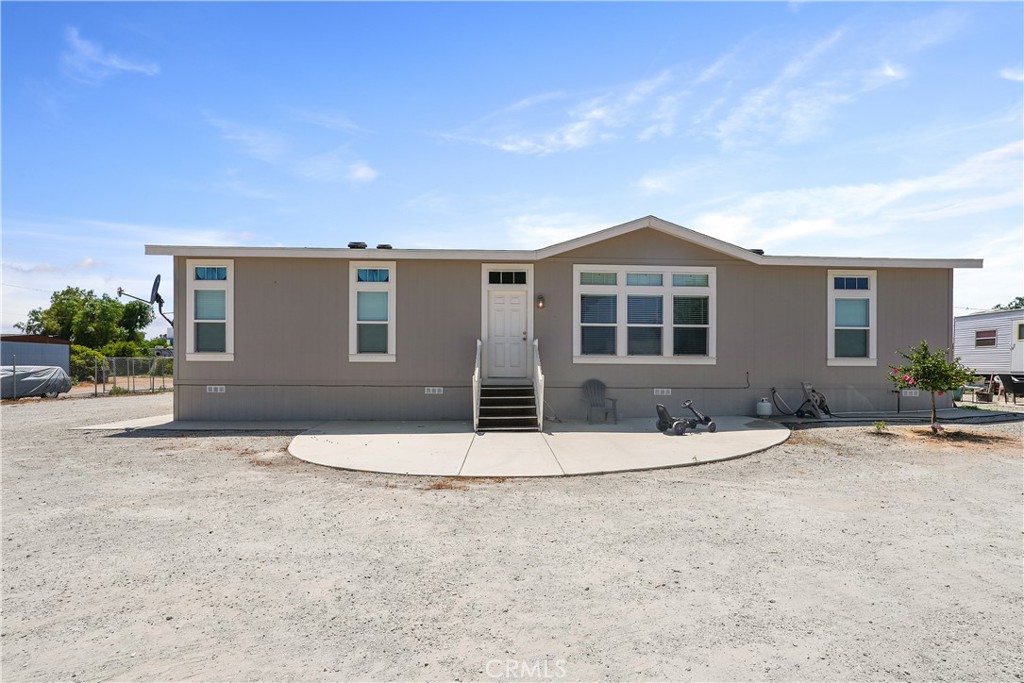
(453, 449)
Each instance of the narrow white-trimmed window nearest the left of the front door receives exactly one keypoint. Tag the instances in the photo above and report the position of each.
(372, 312)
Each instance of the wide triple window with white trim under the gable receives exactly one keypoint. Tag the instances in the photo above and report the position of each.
(633, 315)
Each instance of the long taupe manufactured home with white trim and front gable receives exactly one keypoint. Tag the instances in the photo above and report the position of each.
(658, 313)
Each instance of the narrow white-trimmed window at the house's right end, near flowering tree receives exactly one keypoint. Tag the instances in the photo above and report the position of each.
(852, 318)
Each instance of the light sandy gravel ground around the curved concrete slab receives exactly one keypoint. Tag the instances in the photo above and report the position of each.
(839, 556)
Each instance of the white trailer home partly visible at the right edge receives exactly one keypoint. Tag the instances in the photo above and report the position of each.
(992, 343)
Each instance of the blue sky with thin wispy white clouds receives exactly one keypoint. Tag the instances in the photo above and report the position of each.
(860, 130)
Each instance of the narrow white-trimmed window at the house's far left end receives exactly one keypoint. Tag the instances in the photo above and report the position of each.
(210, 311)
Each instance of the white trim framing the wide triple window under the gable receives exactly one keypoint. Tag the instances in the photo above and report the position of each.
(667, 291)
